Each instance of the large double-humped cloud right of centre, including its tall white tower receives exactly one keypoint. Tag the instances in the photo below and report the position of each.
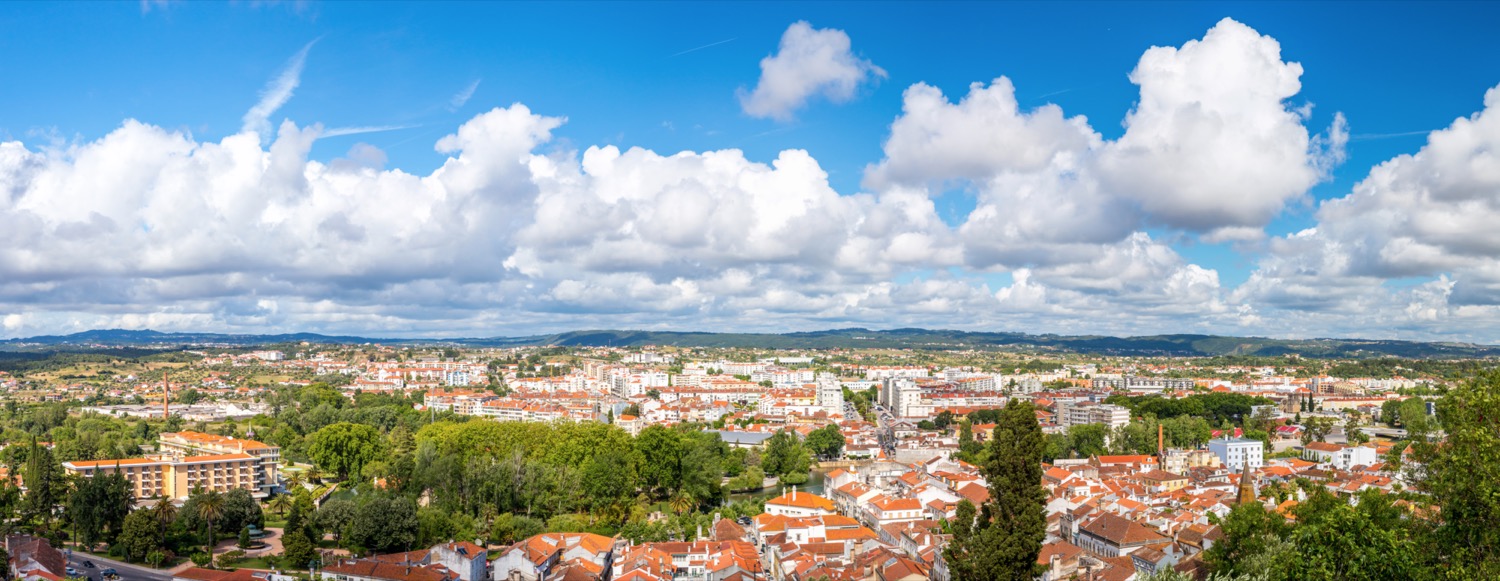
(1211, 148)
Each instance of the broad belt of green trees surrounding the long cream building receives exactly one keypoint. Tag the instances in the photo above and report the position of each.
(407, 478)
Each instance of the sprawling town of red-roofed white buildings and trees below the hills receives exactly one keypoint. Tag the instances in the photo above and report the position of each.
(389, 463)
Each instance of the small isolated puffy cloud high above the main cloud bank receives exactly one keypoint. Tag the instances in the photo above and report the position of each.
(808, 64)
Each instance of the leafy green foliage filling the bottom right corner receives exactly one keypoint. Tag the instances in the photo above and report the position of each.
(1447, 529)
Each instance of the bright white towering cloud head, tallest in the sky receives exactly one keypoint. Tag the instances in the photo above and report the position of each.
(1211, 143)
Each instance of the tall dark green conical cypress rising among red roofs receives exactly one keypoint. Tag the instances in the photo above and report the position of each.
(1003, 540)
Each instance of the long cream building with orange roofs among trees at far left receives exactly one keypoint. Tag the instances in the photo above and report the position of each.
(178, 477)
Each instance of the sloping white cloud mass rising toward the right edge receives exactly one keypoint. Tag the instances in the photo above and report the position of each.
(1427, 215)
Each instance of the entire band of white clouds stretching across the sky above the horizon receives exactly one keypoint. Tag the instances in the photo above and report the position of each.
(517, 232)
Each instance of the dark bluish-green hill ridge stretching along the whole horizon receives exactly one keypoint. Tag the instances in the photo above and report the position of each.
(835, 339)
